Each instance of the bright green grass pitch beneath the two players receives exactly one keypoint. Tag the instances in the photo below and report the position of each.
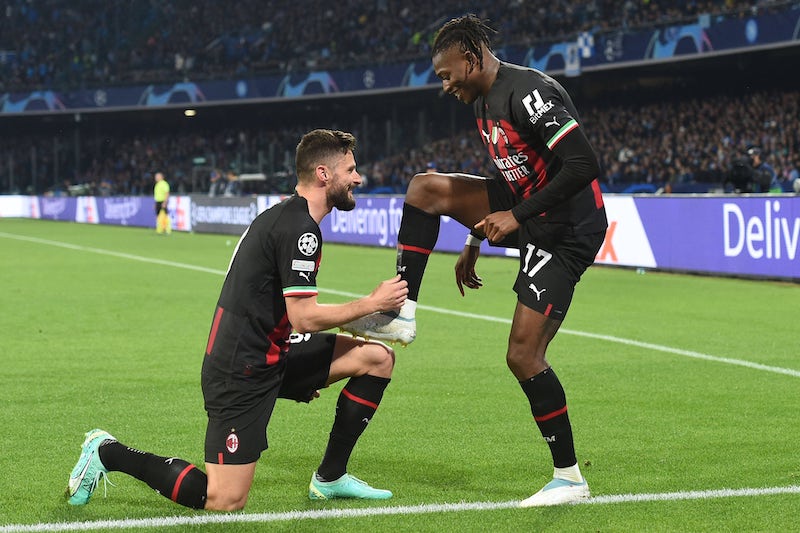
(678, 386)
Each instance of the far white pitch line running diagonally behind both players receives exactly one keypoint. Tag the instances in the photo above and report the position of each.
(609, 338)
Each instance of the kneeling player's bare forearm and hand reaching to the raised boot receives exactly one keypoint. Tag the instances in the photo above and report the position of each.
(307, 315)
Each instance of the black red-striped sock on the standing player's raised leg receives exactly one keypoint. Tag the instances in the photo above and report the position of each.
(415, 241)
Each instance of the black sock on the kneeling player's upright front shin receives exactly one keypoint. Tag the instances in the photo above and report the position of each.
(357, 403)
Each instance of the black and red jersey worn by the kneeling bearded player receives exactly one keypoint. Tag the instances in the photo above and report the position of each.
(277, 256)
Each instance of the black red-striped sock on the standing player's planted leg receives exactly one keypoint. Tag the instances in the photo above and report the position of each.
(549, 408)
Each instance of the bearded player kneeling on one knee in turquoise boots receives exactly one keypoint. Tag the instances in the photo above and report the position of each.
(252, 359)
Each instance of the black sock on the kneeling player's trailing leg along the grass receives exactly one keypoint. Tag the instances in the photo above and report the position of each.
(171, 477)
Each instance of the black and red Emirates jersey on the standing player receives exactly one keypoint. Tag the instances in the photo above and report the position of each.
(522, 120)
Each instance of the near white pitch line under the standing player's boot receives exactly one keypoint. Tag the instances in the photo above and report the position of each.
(241, 518)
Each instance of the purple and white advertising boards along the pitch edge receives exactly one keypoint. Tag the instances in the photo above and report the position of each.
(740, 235)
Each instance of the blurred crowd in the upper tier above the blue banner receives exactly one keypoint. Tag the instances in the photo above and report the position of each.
(52, 44)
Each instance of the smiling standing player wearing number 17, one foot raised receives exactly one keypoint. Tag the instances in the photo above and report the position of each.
(545, 200)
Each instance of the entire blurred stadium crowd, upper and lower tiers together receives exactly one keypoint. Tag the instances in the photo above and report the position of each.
(686, 144)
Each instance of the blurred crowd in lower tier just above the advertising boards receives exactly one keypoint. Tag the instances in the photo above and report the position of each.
(638, 143)
